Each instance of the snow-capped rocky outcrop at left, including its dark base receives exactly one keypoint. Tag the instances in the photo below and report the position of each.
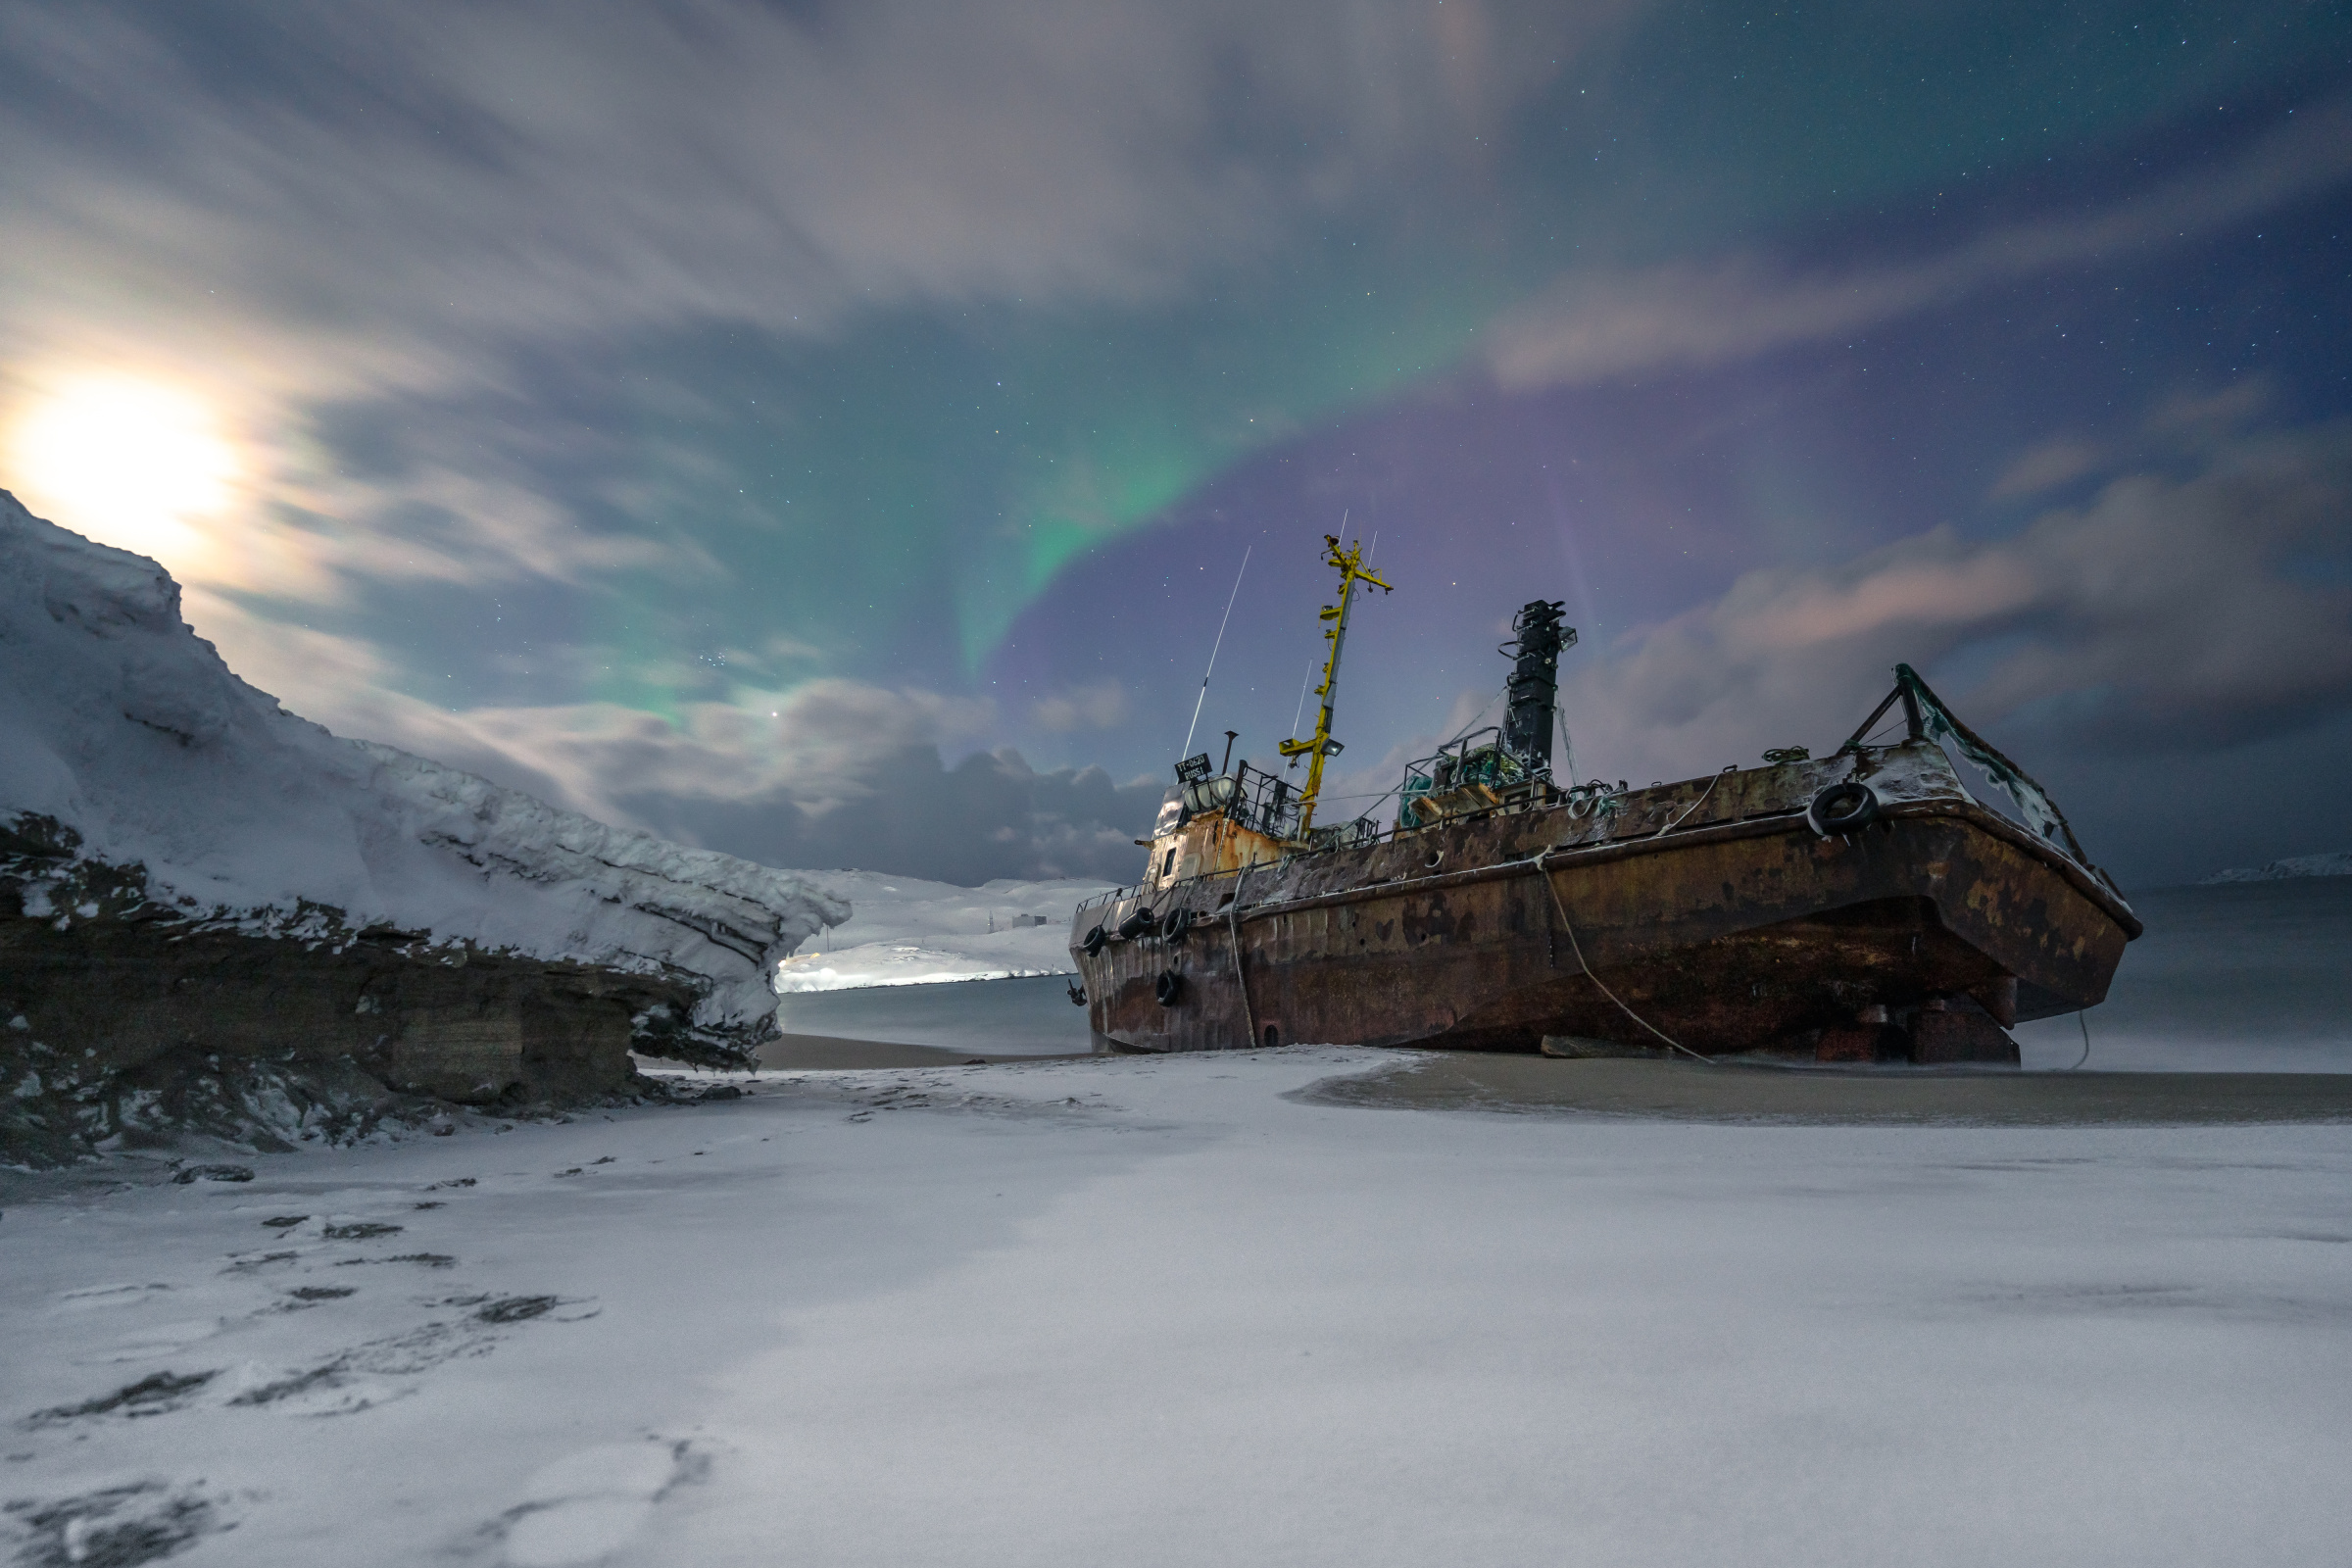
(220, 918)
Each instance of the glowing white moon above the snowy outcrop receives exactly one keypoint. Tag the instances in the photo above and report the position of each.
(131, 464)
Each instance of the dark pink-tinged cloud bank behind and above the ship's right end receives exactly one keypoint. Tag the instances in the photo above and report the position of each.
(2158, 617)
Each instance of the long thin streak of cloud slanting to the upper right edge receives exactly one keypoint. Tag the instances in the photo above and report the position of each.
(1681, 316)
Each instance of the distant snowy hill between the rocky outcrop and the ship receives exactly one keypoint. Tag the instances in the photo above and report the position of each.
(911, 932)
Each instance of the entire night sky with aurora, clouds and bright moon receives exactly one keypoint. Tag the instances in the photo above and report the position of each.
(831, 431)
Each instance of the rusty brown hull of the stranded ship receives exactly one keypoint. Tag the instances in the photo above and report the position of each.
(1713, 916)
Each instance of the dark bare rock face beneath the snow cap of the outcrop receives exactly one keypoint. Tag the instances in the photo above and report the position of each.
(126, 1024)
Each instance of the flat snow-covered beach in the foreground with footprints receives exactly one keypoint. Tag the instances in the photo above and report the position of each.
(1156, 1313)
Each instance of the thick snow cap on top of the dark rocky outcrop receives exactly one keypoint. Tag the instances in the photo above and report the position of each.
(131, 730)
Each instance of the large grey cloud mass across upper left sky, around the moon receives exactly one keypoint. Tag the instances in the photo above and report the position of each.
(368, 210)
